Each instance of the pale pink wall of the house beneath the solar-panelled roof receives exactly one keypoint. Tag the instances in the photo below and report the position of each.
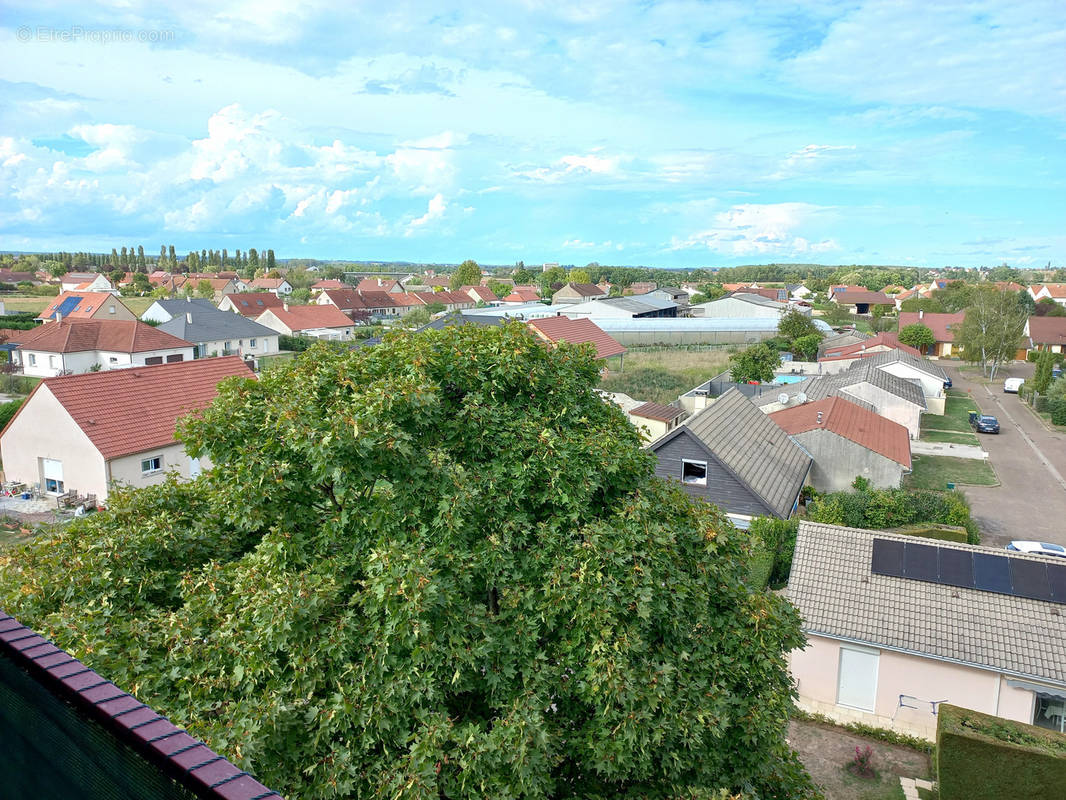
(816, 670)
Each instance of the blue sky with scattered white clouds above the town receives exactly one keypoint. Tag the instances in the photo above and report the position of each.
(674, 135)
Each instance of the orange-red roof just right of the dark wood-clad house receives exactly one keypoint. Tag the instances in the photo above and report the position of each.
(873, 431)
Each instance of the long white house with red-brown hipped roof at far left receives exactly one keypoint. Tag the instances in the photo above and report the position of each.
(76, 346)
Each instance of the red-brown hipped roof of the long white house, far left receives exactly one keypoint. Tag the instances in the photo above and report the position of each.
(82, 335)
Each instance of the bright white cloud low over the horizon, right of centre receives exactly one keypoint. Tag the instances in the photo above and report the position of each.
(755, 230)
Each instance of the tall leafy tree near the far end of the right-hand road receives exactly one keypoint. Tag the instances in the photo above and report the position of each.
(992, 331)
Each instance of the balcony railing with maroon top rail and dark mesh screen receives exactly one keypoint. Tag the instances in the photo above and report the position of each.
(76, 734)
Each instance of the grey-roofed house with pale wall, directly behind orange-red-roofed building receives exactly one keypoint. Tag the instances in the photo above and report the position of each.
(891, 396)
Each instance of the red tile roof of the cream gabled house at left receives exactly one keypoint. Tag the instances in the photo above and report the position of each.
(131, 411)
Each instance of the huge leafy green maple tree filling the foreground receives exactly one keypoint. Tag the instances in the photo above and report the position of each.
(369, 597)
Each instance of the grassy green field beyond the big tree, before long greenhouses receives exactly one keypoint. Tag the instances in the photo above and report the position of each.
(661, 377)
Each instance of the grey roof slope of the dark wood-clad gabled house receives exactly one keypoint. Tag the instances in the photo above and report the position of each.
(755, 449)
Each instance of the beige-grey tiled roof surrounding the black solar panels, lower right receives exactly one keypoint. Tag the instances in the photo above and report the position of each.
(838, 596)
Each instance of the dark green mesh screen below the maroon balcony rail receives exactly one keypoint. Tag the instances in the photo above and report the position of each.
(54, 750)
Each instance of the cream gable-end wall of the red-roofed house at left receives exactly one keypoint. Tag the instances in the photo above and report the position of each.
(44, 429)
